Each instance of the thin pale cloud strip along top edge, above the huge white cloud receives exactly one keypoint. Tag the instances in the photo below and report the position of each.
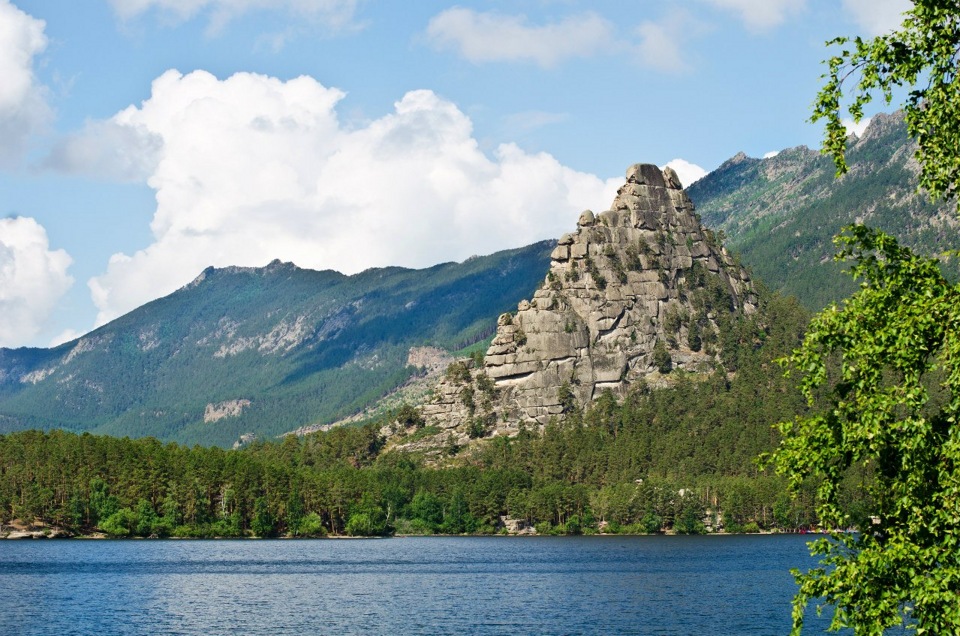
(333, 13)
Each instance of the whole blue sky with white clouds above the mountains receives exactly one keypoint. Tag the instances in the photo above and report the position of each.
(142, 141)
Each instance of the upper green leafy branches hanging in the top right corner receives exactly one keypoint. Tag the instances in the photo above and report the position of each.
(923, 52)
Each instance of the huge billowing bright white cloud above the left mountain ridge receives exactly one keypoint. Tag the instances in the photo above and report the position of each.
(252, 168)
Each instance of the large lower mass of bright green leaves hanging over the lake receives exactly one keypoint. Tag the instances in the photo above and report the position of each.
(884, 370)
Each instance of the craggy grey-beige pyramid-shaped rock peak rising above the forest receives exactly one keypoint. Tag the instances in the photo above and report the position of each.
(635, 292)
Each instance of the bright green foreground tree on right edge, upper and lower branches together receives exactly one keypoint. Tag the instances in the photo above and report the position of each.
(883, 370)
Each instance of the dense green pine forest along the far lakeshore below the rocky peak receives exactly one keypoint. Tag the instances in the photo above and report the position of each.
(681, 459)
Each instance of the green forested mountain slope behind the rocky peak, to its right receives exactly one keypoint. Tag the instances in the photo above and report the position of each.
(781, 213)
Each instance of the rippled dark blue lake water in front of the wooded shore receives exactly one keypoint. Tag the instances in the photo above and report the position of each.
(432, 585)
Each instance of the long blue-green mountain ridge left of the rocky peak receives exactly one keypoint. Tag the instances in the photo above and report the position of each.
(261, 350)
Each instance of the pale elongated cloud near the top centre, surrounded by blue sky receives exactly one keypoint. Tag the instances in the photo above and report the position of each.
(493, 37)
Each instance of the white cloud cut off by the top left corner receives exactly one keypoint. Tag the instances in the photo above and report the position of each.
(23, 107)
